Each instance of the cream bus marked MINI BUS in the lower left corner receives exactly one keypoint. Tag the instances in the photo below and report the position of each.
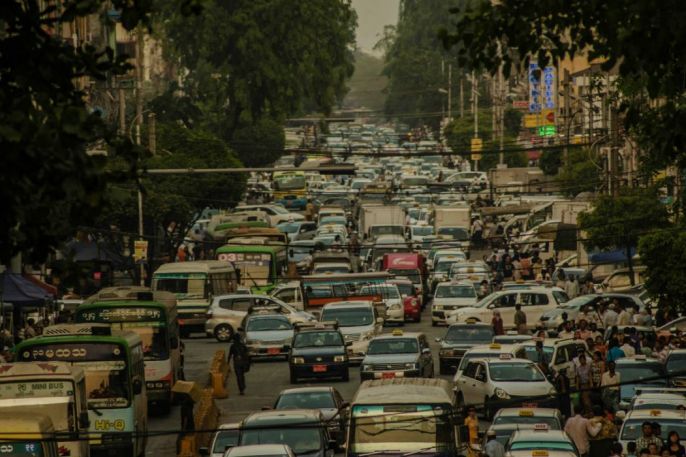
(52, 390)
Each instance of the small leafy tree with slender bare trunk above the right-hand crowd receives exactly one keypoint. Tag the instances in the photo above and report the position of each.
(619, 221)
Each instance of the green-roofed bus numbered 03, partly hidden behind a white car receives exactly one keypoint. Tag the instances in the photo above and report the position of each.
(260, 265)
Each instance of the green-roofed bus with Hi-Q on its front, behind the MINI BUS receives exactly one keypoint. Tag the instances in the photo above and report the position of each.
(115, 380)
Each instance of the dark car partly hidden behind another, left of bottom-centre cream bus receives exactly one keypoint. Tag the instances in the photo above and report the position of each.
(326, 399)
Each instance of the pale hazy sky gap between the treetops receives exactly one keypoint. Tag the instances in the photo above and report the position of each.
(372, 15)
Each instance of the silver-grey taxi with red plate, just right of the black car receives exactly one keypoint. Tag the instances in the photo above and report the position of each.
(398, 355)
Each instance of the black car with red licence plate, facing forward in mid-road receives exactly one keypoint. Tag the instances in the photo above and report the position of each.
(318, 351)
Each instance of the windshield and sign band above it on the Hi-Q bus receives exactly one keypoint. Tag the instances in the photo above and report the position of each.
(105, 365)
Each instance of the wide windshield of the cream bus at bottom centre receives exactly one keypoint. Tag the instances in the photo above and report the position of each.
(405, 428)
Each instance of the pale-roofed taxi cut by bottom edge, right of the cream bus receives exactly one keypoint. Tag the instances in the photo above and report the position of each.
(541, 442)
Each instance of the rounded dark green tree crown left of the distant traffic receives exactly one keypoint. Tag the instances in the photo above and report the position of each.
(259, 144)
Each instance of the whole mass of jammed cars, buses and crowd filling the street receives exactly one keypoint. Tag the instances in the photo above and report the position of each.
(409, 307)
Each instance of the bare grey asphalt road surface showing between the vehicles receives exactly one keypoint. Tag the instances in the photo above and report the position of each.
(264, 382)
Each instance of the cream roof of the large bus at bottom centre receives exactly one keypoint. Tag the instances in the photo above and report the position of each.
(404, 391)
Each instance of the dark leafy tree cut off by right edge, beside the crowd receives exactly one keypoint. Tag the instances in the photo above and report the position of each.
(664, 254)
